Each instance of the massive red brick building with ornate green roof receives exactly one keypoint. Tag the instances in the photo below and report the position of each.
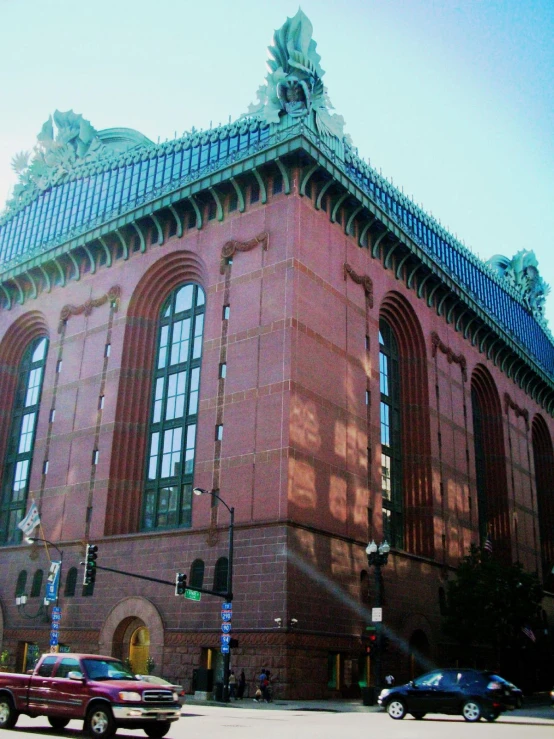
(253, 309)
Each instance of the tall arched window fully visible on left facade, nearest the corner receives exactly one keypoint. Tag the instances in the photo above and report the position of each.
(174, 410)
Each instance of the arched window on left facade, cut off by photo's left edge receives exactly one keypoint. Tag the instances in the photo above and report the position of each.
(21, 441)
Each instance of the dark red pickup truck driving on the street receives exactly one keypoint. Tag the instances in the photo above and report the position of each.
(100, 691)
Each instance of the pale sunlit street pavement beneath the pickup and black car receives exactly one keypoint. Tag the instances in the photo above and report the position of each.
(199, 722)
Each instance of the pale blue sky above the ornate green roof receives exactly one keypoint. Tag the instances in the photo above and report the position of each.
(452, 100)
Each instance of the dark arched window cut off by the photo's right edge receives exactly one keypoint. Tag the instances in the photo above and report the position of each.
(543, 458)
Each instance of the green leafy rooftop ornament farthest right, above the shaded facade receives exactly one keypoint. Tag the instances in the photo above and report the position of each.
(522, 273)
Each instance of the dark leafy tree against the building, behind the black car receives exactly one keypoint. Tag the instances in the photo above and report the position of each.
(488, 603)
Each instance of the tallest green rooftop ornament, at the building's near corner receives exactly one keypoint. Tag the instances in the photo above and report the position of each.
(294, 81)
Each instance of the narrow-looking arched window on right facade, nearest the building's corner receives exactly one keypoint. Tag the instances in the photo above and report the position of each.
(391, 456)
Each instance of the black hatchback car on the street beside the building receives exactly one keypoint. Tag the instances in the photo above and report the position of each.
(467, 692)
